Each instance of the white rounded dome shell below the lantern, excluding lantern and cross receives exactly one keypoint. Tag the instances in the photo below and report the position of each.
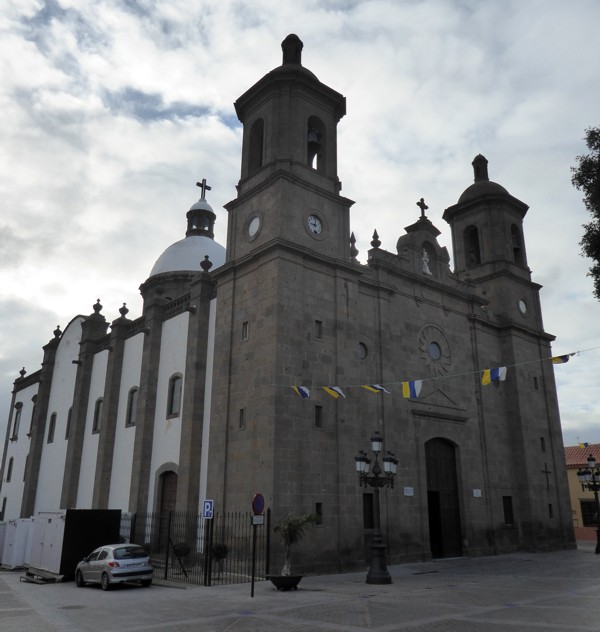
(185, 255)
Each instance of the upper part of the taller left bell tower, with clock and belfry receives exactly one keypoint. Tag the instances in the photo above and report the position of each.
(289, 188)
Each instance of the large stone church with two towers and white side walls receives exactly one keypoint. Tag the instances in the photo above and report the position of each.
(265, 365)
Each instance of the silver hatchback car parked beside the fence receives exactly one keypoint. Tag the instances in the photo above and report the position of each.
(114, 564)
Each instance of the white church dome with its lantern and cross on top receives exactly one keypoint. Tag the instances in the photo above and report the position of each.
(186, 254)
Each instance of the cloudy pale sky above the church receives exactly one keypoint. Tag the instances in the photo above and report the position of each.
(113, 109)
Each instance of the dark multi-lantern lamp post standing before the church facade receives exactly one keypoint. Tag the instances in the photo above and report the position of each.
(378, 572)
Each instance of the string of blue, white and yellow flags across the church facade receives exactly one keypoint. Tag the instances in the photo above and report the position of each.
(411, 389)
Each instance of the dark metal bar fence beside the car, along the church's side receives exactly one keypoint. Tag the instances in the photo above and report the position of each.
(227, 549)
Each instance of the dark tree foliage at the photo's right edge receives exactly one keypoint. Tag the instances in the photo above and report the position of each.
(586, 178)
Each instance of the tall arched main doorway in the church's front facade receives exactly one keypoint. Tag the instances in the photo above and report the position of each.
(445, 536)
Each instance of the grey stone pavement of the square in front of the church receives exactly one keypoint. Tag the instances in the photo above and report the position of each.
(518, 592)
